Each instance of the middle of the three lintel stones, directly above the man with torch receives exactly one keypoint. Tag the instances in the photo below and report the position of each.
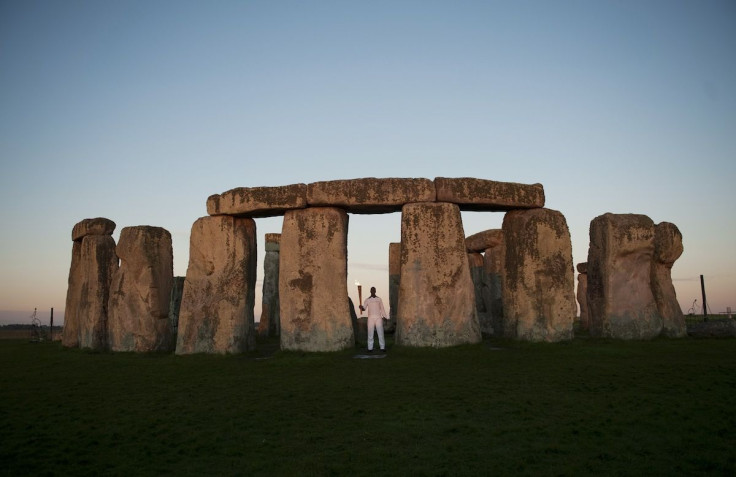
(370, 195)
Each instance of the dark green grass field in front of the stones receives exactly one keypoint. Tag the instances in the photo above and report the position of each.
(665, 407)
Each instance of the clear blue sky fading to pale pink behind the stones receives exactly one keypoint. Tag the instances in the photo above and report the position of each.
(139, 110)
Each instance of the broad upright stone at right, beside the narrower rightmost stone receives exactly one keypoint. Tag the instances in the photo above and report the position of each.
(620, 300)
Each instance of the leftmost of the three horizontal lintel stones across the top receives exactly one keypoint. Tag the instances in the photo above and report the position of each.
(258, 201)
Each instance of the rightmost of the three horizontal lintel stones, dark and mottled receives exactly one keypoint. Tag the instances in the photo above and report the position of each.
(481, 194)
